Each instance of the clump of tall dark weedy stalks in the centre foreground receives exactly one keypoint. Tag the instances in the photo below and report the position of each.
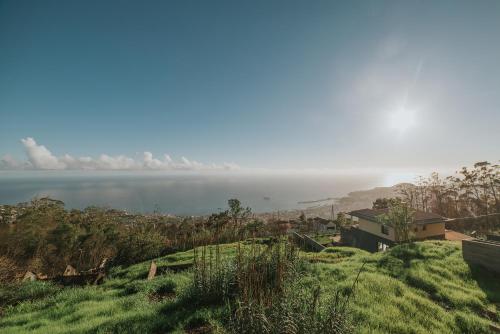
(265, 290)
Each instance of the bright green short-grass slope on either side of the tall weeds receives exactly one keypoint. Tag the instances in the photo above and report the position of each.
(421, 288)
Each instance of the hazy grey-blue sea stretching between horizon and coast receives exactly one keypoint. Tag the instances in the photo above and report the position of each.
(183, 193)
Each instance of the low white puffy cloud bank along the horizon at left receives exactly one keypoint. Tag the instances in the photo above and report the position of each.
(40, 158)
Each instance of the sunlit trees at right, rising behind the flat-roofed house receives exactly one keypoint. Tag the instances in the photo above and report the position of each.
(471, 197)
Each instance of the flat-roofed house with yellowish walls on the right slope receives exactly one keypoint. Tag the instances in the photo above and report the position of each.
(367, 232)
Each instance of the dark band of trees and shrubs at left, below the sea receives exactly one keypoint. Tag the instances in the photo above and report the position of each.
(45, 237)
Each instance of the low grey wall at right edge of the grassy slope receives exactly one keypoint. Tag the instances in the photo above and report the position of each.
(482, 253)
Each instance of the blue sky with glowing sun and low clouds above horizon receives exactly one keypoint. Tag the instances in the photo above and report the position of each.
(231, 85)
